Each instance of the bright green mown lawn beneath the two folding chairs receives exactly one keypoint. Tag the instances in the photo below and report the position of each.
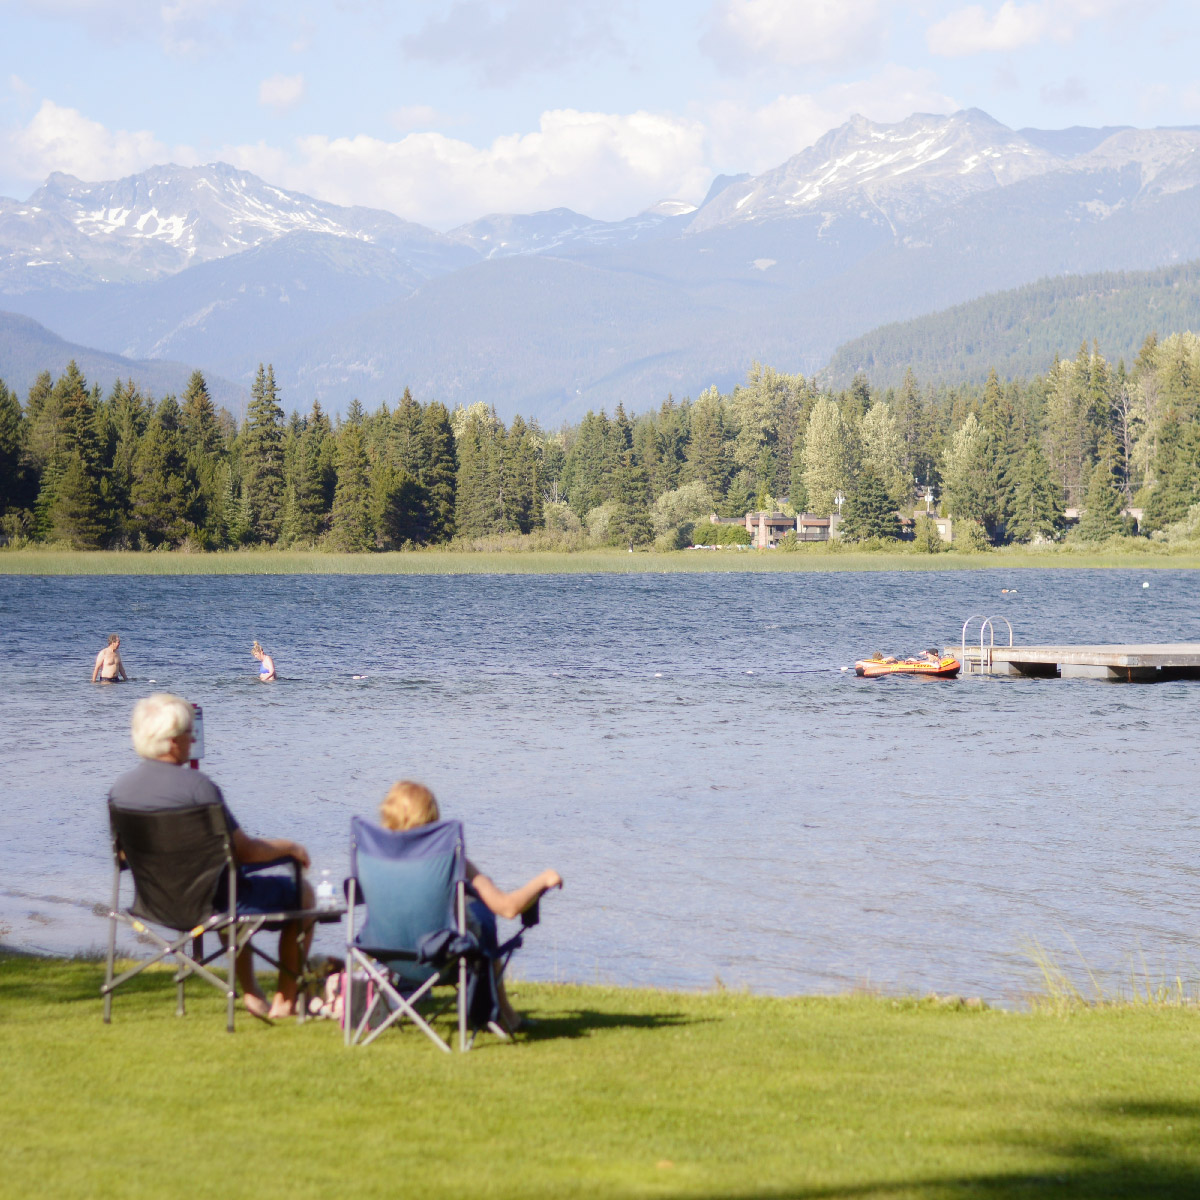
(617, 1094)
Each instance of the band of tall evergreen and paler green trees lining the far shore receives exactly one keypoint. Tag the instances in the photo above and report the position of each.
(1006, 459)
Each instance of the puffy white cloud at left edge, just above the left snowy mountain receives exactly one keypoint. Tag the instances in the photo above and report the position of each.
(63, 140)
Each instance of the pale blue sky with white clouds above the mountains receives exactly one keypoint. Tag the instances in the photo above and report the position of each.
(442, 111)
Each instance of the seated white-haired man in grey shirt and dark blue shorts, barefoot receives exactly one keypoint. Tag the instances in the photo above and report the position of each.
(163, 735)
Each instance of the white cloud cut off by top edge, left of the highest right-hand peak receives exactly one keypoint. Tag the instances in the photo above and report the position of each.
(817, 33)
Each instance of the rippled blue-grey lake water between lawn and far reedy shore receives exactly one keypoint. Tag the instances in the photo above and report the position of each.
(723, 801)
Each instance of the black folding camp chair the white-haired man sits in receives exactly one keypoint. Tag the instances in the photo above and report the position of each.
(178, 859)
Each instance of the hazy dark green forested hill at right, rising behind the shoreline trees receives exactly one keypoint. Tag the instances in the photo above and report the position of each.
(1019, 333)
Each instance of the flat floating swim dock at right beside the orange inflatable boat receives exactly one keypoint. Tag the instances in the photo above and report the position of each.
(1127, 664)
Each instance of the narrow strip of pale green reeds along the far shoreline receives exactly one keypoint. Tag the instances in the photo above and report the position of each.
(599, 562)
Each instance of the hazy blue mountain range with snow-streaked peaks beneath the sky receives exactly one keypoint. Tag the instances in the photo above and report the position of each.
(551, 314)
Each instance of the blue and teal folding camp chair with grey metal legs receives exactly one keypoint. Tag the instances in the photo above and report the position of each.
(416, 938)
